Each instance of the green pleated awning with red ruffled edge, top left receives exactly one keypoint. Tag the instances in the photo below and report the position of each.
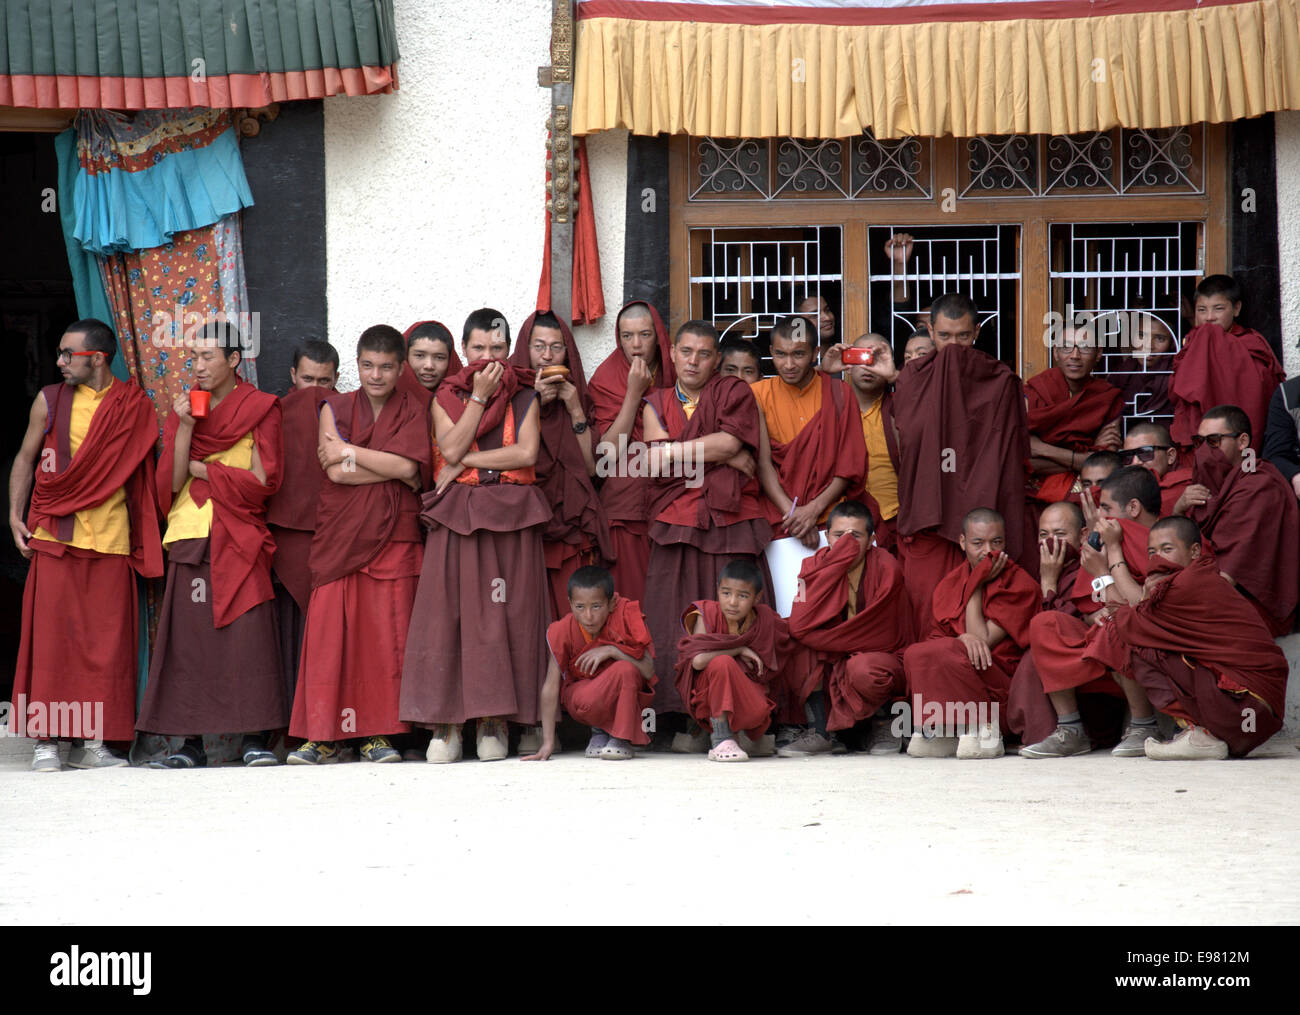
(177, 54)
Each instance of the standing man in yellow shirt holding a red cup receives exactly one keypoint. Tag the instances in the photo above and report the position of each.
(216, 658)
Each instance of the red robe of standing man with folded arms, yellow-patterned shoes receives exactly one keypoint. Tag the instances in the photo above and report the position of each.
(366, 562)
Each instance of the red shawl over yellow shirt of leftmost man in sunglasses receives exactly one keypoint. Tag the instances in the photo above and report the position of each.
(116, 454)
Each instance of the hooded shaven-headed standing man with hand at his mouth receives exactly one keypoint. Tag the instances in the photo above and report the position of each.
(640, 363)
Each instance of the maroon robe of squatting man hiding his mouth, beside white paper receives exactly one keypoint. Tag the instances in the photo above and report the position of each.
(859, 660)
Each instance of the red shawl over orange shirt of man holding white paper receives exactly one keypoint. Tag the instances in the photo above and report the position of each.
(830, 446)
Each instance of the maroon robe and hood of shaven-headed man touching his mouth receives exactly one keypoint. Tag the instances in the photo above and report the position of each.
(625, 497)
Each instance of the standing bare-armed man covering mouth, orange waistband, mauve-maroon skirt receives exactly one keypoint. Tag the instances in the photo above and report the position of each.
(480, 611)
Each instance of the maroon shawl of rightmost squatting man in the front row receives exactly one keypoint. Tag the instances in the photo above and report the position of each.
(1199, 615)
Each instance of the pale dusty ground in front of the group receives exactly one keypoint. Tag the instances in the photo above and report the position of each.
(1082, 842)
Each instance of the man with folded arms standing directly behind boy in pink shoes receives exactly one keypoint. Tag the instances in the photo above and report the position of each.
(705, 505)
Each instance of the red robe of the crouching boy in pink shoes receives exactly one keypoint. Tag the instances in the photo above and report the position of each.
(733, 686)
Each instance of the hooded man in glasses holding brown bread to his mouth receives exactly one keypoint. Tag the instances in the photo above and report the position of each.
(548, 359)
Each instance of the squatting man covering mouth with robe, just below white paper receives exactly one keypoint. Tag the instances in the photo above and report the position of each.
(856, 618)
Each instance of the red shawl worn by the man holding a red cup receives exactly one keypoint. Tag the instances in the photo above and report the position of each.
(242, 546)
